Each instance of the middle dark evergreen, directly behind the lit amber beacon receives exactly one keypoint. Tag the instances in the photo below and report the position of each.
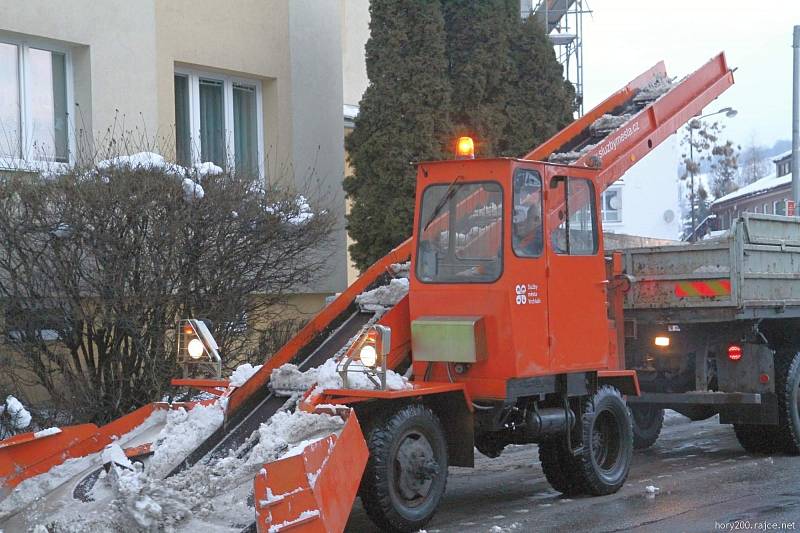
(481, 67)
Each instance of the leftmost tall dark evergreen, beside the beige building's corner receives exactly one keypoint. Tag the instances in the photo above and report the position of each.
(403, 117)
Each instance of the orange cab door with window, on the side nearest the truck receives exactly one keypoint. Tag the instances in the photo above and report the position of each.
(576, 280)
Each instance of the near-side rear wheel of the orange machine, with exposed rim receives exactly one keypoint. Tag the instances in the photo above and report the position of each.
(607, 449)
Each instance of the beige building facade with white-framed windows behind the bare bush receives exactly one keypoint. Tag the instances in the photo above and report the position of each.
(255, 84)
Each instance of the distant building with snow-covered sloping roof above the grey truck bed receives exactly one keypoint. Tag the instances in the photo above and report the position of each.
(769, 195)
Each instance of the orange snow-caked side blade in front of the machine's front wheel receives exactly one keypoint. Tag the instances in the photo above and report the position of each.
(315, 490)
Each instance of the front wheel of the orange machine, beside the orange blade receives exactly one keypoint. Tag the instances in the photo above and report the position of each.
(406, 473)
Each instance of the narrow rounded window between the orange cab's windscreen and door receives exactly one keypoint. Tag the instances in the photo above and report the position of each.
(527, 236)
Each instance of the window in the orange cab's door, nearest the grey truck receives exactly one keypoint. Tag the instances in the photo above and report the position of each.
(574, 204)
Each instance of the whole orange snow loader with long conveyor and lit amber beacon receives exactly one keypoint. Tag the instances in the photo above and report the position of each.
(512, 332)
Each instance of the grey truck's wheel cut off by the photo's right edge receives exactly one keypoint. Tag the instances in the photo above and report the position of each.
(787, 388)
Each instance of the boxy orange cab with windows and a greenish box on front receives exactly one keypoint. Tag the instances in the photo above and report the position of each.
(508, 277)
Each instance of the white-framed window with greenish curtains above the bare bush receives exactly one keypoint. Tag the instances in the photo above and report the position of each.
(218, 119)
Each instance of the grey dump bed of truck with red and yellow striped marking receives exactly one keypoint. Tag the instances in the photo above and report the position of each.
(752, 271)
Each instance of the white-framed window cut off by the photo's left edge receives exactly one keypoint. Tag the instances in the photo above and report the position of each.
(34, 94)
